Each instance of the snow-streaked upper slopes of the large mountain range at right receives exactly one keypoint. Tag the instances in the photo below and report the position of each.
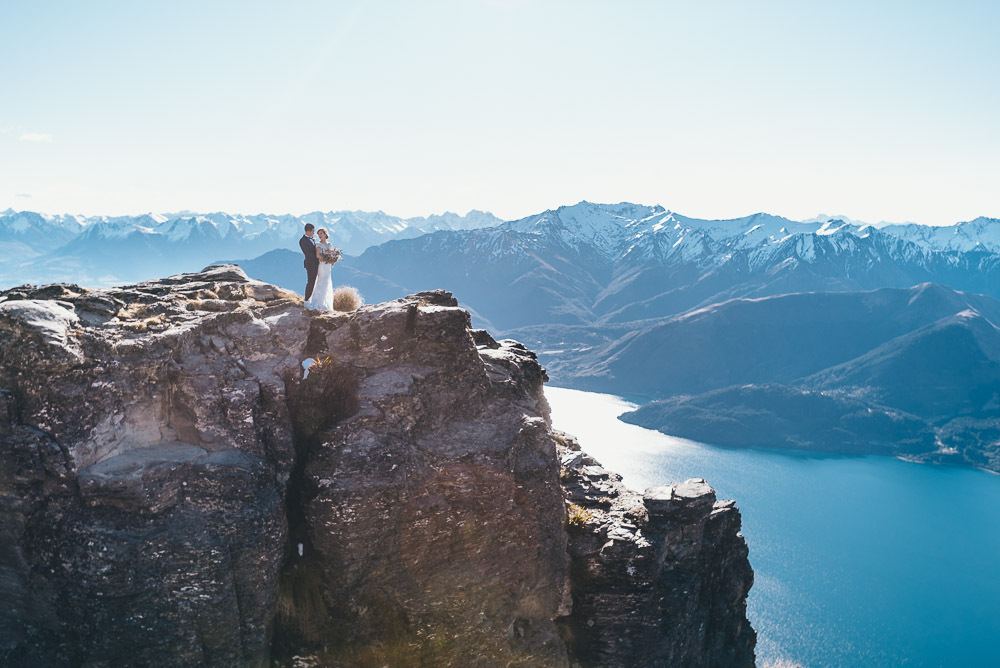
(628, 235)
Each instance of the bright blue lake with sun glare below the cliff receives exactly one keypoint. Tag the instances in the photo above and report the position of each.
(858, 561)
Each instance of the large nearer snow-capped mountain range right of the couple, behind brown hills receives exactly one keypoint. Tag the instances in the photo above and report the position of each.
(599, 264)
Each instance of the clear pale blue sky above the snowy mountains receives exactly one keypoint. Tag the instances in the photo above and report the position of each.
(876, 110)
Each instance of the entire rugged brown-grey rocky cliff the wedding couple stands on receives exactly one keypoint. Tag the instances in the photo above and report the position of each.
(199, 471)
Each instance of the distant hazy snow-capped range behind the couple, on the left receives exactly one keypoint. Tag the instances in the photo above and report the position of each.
(102, 250)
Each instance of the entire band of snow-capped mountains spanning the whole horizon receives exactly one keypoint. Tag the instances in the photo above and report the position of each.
(619, 248)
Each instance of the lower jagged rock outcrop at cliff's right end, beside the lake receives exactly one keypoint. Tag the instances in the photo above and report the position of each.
(659, 578)
